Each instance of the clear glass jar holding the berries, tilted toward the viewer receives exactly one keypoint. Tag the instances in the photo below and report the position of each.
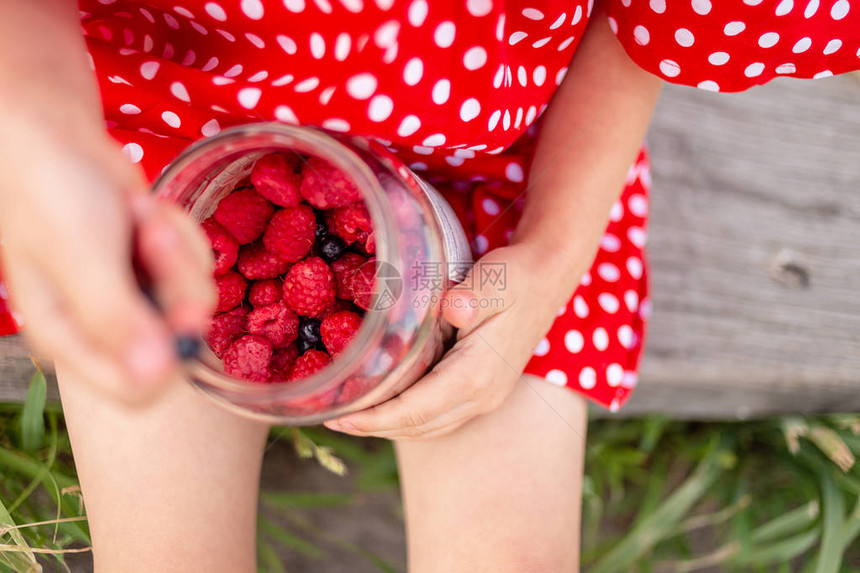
(421, 249)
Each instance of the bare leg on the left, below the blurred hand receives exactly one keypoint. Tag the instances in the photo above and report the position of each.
(169, 488)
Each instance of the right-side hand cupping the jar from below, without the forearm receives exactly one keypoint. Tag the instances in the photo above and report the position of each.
(495, 341)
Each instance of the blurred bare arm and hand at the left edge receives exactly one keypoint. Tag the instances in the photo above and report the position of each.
(69, 203)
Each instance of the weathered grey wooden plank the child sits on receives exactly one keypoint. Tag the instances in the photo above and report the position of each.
(755, 251)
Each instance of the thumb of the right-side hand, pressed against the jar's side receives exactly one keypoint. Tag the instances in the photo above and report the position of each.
(485, 292)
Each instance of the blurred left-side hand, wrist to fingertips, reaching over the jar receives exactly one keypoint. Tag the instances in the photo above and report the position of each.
(71, 209)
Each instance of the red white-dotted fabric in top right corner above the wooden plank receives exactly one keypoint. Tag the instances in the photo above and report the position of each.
(732, 45)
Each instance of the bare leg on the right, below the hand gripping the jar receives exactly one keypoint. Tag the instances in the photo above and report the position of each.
(502, 493)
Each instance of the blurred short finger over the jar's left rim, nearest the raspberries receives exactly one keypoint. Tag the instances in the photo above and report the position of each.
(178, 261)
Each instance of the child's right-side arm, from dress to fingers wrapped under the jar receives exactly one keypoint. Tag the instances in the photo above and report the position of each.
(591, 134)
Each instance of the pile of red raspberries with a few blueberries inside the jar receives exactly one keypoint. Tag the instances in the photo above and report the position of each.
(294, 251)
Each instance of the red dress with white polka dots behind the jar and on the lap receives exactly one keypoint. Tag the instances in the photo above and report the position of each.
(454, 88)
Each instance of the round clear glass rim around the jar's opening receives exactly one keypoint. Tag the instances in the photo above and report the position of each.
(327, 147)
